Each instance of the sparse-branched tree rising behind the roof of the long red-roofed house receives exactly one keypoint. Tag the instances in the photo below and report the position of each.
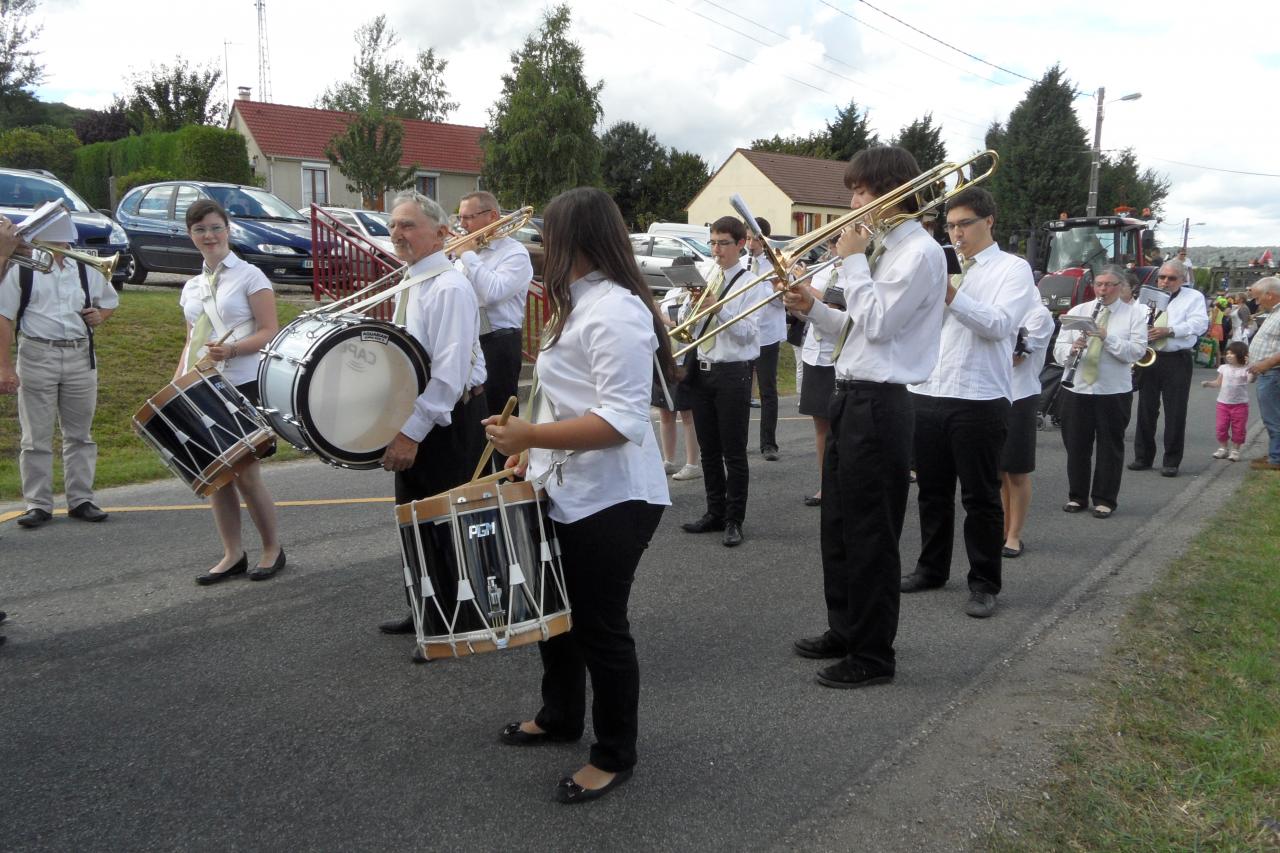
(391, 86)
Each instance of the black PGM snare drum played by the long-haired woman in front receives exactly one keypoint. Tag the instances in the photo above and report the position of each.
(483, 569)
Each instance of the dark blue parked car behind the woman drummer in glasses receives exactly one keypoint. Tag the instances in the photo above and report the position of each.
(266, 231)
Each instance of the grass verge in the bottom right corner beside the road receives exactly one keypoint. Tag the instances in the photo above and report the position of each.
(1183, 750)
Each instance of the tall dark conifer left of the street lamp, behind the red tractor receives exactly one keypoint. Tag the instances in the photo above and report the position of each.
(1044, 158)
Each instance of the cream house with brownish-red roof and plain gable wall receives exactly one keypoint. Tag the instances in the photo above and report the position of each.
(796, 194)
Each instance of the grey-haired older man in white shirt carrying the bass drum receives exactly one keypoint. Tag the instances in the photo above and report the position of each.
(442, 440)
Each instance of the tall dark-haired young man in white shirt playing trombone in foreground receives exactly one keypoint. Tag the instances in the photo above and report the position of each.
(885, 339)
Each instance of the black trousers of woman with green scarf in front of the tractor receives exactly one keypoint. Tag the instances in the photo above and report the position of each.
(1095, 422)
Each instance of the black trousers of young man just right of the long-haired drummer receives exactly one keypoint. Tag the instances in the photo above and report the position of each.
(723, 414)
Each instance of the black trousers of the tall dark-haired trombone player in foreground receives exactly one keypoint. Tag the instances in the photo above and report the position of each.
(865, 486)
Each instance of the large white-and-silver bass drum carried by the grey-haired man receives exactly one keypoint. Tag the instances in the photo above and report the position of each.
(341, 386)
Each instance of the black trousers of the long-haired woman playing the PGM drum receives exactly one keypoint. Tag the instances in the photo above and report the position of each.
(600, 554)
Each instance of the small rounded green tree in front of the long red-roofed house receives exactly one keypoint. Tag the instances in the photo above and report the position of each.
(369, 154)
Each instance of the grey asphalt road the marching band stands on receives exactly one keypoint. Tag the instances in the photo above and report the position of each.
(141, 711)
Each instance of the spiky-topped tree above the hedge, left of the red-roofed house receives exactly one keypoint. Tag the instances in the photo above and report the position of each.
(168, 98)
